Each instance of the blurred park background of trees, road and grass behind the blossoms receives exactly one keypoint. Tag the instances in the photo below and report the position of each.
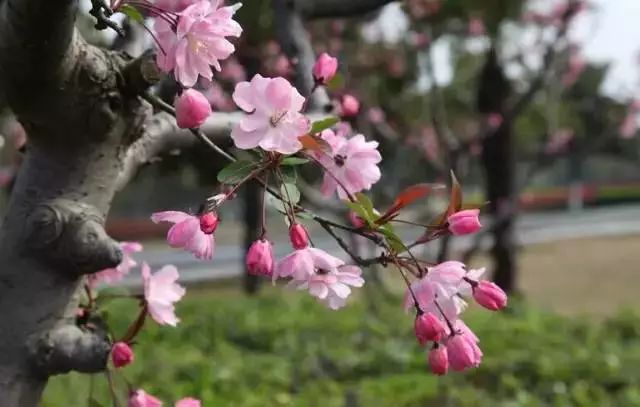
(533, 104)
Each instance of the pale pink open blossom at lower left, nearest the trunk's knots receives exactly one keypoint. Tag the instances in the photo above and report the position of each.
(161, 292)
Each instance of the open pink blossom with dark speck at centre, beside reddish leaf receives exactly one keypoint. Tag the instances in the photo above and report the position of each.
(352, 164)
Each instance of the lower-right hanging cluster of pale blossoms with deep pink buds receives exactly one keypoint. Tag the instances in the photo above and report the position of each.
(439, 296)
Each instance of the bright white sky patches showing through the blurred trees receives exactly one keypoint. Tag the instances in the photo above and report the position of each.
(609, 32)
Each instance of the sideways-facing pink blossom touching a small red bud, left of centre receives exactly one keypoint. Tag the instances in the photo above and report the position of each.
(186, 233)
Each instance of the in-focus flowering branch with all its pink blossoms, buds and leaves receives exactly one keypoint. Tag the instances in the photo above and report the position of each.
(277, 136)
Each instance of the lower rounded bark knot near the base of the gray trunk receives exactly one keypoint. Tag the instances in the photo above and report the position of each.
(69, 348)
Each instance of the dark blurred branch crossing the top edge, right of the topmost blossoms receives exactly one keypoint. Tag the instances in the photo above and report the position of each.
(312, 9)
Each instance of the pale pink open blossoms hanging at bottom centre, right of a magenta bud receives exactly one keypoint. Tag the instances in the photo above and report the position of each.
(325, 277)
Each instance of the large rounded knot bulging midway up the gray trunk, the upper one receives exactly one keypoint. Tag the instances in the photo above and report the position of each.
(71, 236)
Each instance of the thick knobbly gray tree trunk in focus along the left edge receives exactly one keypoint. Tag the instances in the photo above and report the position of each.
(80, 107)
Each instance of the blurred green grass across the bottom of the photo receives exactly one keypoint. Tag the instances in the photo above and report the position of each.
(287, 350)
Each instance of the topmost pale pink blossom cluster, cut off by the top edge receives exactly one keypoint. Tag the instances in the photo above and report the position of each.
(195, 39)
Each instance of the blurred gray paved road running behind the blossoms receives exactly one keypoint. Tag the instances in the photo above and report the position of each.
(530, 229)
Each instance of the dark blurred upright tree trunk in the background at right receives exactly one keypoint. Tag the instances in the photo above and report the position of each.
(499, 167)
